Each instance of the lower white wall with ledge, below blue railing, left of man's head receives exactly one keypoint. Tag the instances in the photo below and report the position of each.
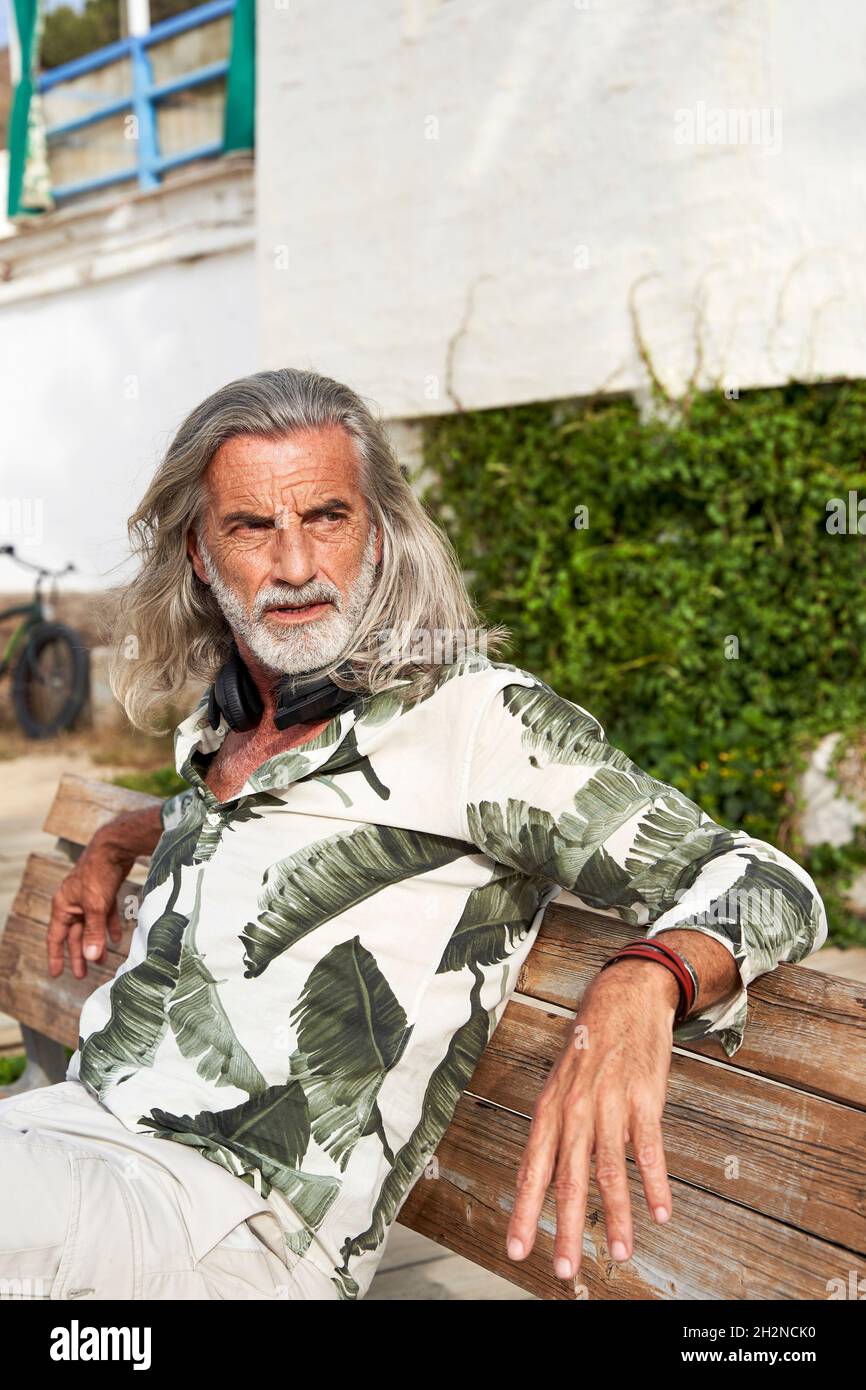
(112, 329)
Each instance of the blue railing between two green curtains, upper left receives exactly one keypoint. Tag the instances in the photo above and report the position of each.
(142, 99)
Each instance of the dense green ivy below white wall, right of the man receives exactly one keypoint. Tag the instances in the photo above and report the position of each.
(701, 532)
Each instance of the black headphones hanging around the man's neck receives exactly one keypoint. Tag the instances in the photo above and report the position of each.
(236, 697)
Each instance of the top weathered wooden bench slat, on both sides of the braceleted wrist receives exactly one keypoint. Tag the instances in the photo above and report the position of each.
(806, 1029)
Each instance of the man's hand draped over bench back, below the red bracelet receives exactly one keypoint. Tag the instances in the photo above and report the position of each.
(607, 1089)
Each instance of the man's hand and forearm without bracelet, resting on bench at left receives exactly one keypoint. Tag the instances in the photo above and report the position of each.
(84, 910)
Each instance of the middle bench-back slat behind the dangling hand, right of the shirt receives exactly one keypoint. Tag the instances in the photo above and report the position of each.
(785, 1153)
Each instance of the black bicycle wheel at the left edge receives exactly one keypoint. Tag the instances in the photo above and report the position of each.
(51, 680)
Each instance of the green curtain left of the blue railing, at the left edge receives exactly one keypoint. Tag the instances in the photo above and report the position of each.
(30, 180)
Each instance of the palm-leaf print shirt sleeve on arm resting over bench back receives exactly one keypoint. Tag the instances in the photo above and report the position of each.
(546, 793)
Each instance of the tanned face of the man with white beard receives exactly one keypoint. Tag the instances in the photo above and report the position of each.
(287, 546)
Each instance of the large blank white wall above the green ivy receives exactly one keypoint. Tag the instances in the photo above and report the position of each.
(461, 199)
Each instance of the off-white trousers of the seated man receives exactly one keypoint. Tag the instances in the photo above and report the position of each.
(73, 1225)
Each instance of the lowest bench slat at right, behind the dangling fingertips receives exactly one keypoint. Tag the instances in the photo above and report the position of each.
(710, 1249)
